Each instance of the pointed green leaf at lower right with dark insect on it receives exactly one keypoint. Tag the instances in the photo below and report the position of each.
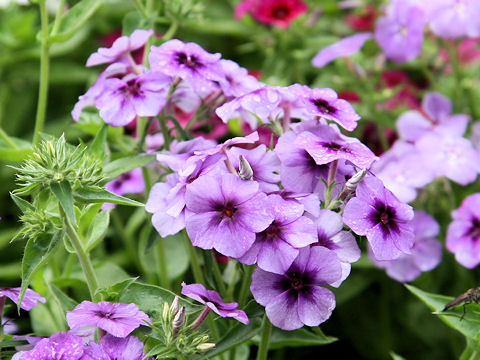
(469, 326)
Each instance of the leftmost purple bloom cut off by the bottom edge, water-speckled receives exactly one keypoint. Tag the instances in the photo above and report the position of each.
(59, 346)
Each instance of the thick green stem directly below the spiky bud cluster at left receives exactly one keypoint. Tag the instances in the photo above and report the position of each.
(83, 257)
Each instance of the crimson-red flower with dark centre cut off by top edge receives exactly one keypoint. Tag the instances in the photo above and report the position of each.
(272, 12)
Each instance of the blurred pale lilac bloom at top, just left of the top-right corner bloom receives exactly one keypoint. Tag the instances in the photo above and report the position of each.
(400, 32)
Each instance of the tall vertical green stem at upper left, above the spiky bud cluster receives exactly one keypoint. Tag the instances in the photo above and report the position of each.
(44, 70)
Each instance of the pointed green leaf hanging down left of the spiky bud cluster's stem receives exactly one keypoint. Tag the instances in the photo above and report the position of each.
(35, 255)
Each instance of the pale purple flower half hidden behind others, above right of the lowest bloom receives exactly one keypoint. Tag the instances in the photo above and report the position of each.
(331, 235)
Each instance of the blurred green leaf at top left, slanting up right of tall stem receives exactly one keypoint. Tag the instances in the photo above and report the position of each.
(75, 19)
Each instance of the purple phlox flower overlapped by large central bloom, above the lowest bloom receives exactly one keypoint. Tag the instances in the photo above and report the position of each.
(277, 246)
